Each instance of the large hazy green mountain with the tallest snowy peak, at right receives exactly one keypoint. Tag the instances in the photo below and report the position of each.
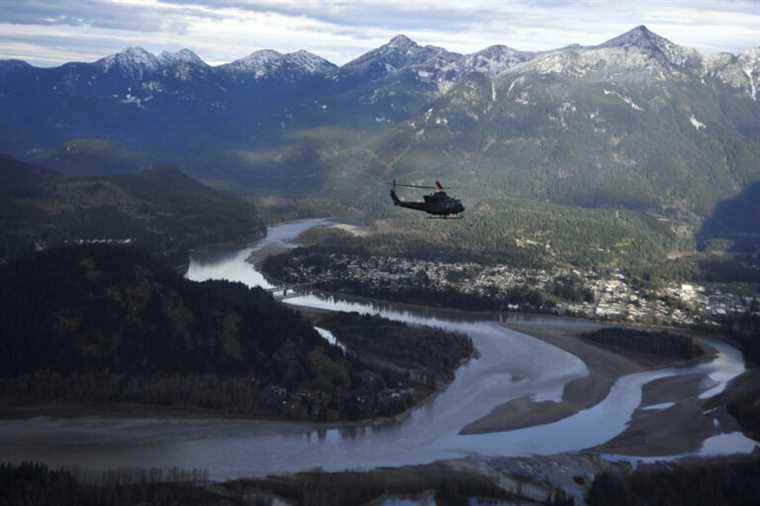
(636, 122)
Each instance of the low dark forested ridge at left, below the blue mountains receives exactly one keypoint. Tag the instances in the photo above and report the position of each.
(162, 210)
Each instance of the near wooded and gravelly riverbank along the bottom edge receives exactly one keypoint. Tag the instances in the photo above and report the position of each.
(557, 480)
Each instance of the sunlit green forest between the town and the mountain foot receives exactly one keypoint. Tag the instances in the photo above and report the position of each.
(523, 233)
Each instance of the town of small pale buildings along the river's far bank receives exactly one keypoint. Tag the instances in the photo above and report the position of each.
(614, 295)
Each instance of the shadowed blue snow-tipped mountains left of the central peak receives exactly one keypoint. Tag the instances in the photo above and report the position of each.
(171, 104)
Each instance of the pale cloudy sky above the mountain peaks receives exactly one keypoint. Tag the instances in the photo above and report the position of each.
(50, 32)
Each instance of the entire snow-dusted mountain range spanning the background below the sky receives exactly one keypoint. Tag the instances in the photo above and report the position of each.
(636, 121)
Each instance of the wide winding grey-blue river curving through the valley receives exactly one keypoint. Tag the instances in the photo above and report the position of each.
(511, 365)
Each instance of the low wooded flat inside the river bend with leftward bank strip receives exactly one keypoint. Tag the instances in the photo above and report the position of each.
(395, 368)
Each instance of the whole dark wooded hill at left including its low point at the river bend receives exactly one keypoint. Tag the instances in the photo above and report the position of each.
(96, 323)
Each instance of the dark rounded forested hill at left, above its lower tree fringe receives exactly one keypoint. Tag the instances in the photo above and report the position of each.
(95, 307)
